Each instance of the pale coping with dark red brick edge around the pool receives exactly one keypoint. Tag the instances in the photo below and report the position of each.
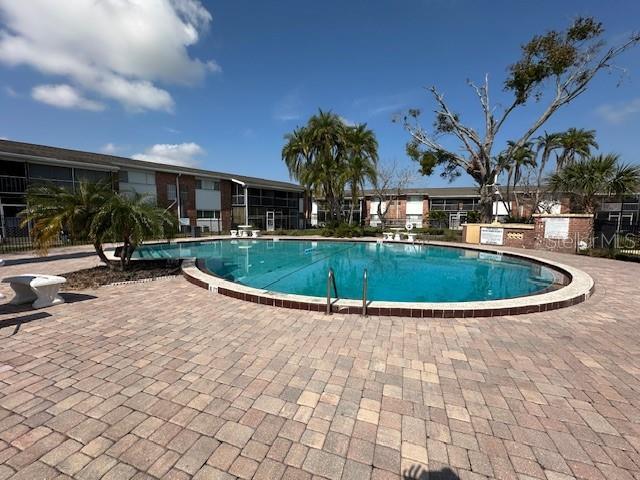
(580, 288)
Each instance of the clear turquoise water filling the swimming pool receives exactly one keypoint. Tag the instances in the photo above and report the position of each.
(397, 272)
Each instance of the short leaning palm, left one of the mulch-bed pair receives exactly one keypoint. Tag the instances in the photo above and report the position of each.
(53, 210)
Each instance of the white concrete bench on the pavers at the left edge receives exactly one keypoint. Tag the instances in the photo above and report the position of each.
(42, 290)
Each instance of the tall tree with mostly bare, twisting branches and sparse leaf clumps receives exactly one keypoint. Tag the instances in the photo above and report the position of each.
(558, 65)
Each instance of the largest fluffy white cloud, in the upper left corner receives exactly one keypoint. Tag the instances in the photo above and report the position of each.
(117, 49)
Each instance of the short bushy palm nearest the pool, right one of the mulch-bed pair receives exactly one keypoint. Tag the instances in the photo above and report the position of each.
(132, 219)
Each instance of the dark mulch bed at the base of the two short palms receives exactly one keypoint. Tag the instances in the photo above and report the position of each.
(139, 270)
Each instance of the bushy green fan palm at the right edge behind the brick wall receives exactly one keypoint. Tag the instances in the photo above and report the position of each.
(593, 177)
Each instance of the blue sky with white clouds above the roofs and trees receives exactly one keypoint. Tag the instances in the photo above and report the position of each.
(218, 83)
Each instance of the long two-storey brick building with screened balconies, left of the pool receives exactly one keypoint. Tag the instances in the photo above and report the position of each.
(213, 201)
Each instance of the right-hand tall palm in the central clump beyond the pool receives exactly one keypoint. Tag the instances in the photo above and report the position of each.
(362, 159)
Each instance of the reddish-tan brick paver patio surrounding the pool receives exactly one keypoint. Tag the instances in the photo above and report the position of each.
(165, 380)
